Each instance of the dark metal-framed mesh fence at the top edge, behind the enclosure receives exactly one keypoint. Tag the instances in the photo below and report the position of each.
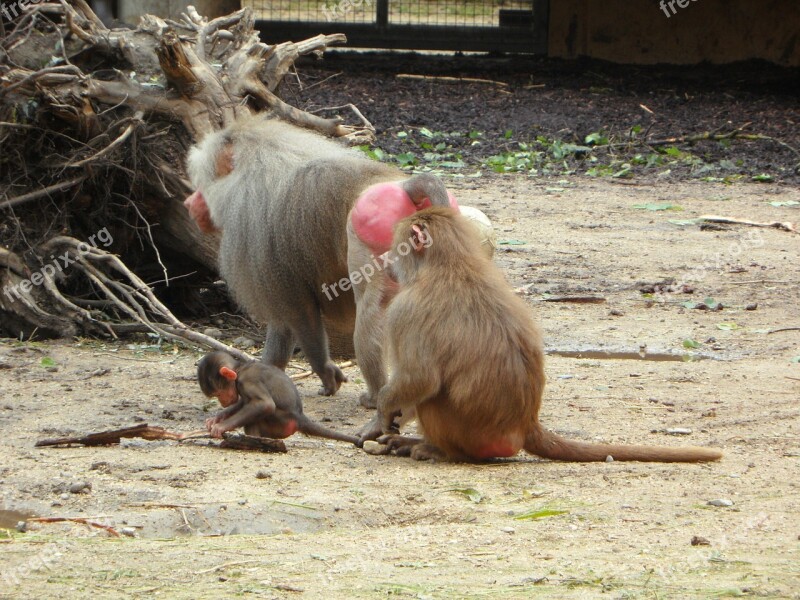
(485, 25)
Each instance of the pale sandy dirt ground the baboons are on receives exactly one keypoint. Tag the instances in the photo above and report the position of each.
(327, 520)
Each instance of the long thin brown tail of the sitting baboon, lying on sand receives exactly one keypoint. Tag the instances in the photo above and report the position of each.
(547, 444)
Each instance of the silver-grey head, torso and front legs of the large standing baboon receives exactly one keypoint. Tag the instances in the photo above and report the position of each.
(281, 197)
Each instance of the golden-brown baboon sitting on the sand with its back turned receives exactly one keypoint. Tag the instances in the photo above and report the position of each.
(467, 357)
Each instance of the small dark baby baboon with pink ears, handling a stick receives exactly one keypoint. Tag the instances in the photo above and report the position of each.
(261, 398)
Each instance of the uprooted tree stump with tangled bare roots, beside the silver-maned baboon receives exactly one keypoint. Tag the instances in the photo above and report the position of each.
(93, 147)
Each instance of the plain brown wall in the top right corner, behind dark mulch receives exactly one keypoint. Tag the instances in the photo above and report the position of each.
(639, 31)
